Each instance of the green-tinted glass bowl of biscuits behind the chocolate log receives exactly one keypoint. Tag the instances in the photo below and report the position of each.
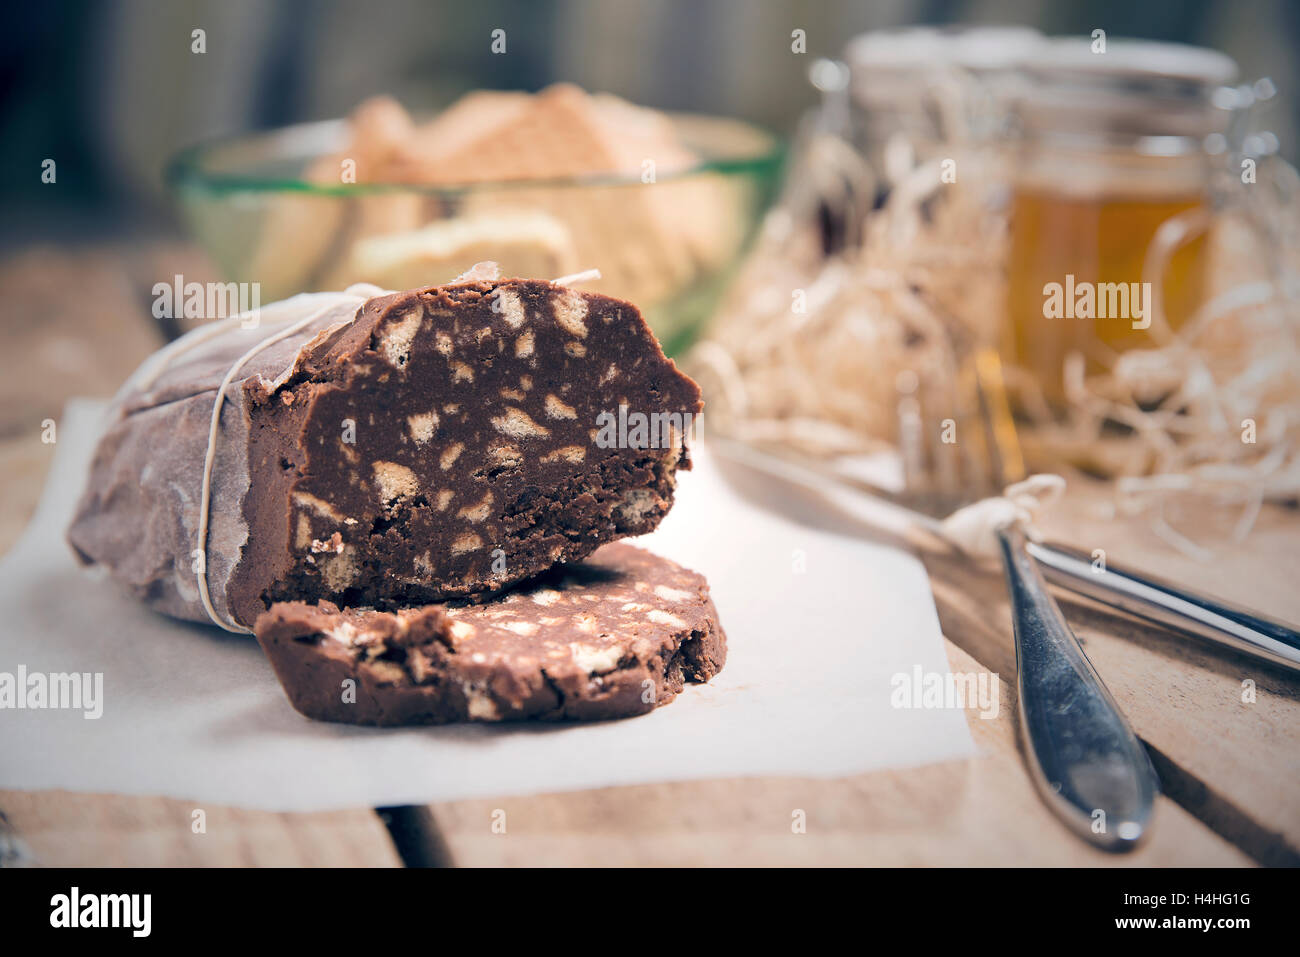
(669, 243)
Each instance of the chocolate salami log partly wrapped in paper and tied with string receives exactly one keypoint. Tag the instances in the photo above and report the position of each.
(388, 452)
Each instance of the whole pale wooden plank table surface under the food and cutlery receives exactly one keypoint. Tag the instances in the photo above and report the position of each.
(1230, 765)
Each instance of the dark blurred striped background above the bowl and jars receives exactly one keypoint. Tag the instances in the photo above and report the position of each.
(112, 90)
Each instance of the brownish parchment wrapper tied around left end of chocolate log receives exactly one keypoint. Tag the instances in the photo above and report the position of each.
(140, 513)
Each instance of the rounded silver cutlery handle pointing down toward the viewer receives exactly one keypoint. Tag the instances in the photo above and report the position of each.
(1087, 763)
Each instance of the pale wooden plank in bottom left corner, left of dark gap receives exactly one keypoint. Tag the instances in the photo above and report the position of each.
(64, 829)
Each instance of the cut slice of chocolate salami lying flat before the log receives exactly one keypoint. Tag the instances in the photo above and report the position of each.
(613, 636)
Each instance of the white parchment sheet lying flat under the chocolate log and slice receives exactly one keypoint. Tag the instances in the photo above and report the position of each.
(818, 623)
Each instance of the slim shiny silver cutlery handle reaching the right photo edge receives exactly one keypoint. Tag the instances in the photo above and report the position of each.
(1173, 607)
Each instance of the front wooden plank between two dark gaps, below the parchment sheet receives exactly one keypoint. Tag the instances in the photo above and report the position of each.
(974, 813)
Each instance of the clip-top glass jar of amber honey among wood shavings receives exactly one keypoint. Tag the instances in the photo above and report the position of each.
(1112, 149)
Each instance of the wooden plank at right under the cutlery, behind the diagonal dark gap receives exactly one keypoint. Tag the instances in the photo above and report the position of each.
(1237, 764)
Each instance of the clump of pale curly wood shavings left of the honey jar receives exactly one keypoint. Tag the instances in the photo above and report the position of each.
(808, 349)
